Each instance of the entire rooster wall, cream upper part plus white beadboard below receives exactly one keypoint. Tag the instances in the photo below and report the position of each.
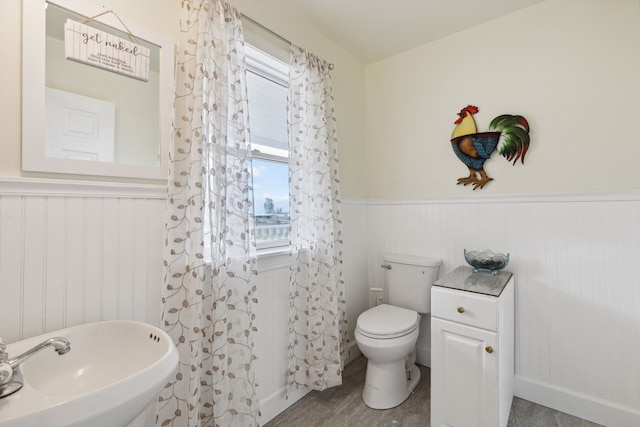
(571, 68)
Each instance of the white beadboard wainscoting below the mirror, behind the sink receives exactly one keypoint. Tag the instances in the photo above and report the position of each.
(74, 253)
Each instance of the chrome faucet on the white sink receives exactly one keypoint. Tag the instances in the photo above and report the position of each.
(10, 375)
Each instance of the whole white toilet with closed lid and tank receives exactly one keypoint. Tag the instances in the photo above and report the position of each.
(387, 333)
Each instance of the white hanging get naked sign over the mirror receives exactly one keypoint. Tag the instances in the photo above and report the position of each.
(103, 50)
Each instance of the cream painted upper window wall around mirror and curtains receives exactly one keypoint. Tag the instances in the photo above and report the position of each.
(348, 76)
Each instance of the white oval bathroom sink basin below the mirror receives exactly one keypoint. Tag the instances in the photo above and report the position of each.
(114, 370)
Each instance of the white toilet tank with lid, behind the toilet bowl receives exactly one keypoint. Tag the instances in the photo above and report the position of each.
(409, 279)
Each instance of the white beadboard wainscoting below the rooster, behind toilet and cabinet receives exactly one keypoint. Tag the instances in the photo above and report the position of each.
(576, 260)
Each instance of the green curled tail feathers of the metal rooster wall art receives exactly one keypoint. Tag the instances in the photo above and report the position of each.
(514, 137)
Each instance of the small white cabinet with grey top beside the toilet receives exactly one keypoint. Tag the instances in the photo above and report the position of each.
(472, 349)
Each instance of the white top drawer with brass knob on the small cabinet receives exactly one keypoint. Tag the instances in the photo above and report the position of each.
(465, 307)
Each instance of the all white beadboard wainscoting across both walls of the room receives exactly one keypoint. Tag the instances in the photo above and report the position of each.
(74, 253)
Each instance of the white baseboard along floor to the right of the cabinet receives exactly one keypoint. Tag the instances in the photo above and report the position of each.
(581, 405)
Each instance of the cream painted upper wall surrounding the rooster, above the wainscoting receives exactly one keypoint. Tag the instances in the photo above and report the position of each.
(570, 67)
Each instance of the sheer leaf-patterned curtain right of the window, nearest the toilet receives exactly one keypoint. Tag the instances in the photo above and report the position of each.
(317, 319)
